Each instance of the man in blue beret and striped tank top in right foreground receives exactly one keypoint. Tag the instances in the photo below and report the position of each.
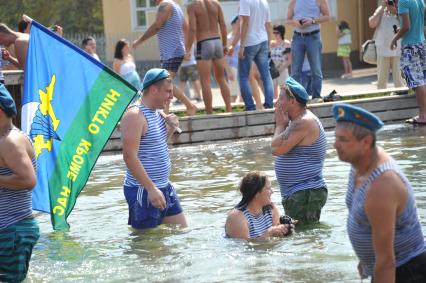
(383, 224)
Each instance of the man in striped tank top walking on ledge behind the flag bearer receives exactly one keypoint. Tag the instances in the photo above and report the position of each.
(169, 26)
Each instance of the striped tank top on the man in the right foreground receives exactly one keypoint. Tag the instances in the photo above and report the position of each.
(408, 242)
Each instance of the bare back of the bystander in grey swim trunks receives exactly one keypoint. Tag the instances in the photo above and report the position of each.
(207, 14)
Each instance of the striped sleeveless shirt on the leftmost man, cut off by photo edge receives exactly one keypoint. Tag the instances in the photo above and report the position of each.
(15, 205)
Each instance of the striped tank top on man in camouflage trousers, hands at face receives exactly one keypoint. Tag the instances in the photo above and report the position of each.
(301, 168)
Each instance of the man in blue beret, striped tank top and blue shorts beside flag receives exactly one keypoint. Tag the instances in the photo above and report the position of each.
(151, 198)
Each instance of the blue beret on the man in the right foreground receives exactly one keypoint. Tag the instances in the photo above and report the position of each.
(348, 113)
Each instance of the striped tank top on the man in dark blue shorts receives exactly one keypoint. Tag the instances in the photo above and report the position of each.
(153, 151)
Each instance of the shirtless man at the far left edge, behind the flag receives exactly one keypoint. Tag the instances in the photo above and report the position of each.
(20, 40)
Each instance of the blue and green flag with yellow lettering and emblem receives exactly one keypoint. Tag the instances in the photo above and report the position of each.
(70, 107)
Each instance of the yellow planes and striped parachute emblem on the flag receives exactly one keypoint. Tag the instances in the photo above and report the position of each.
(45, 123)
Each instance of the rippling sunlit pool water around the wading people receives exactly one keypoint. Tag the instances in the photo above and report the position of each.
(101, 248)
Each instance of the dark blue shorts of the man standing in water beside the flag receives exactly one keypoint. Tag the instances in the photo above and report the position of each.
(142, 214)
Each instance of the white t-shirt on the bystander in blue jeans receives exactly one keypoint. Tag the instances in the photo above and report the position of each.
(258, 11)
